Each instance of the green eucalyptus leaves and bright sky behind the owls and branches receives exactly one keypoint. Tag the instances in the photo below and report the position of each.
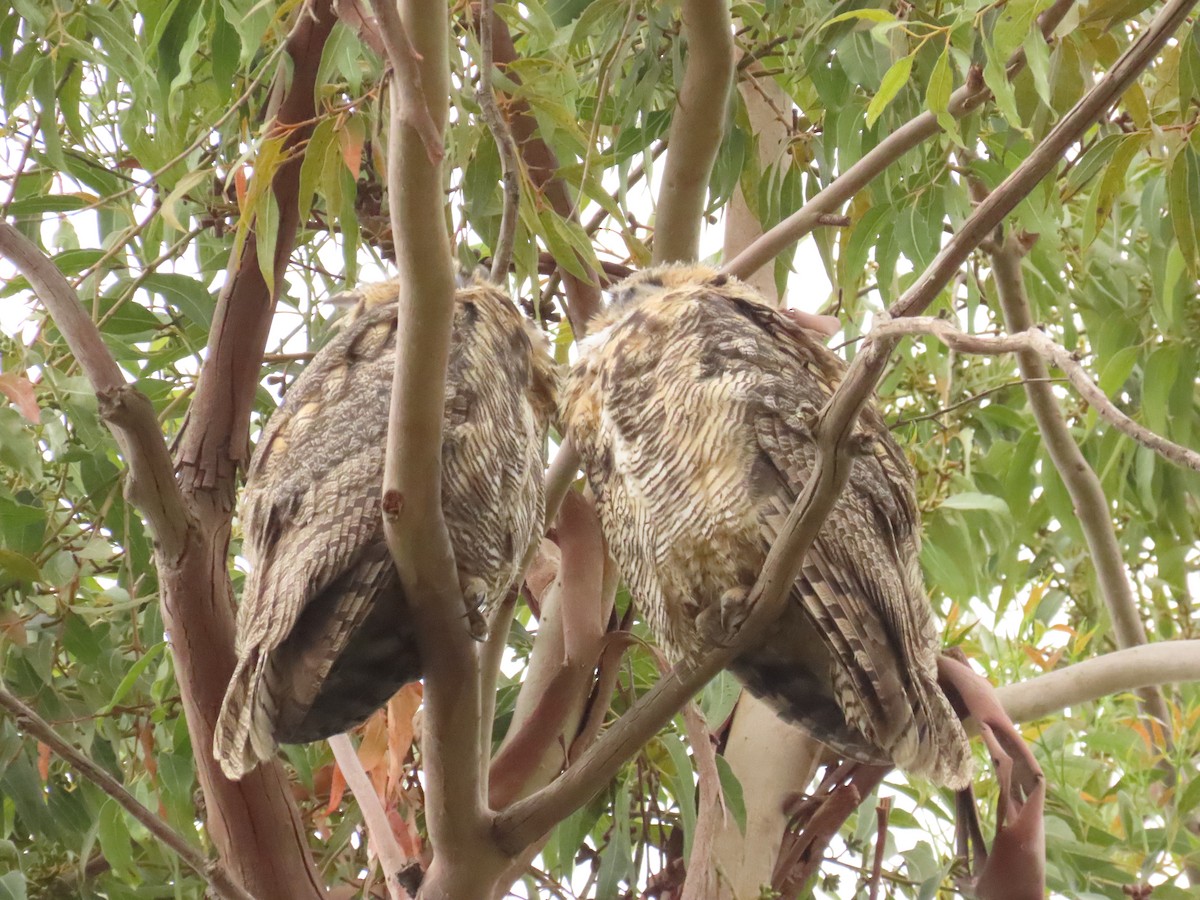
(135, 127)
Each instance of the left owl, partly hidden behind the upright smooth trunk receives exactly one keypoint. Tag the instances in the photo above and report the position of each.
(325, 635)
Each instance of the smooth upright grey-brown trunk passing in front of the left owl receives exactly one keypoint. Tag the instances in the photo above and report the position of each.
(464, 865)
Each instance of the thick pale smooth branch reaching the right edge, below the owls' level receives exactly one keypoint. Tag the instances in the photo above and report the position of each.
(1129, 670)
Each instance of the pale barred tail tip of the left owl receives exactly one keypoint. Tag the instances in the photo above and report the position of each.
(244, 737)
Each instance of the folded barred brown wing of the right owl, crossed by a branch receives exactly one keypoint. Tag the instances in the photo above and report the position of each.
(861, 581)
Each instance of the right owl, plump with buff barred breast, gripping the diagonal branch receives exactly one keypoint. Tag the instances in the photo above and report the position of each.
(692, 406)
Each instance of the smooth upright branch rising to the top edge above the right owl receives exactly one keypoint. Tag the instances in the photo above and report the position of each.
(697, 130)
